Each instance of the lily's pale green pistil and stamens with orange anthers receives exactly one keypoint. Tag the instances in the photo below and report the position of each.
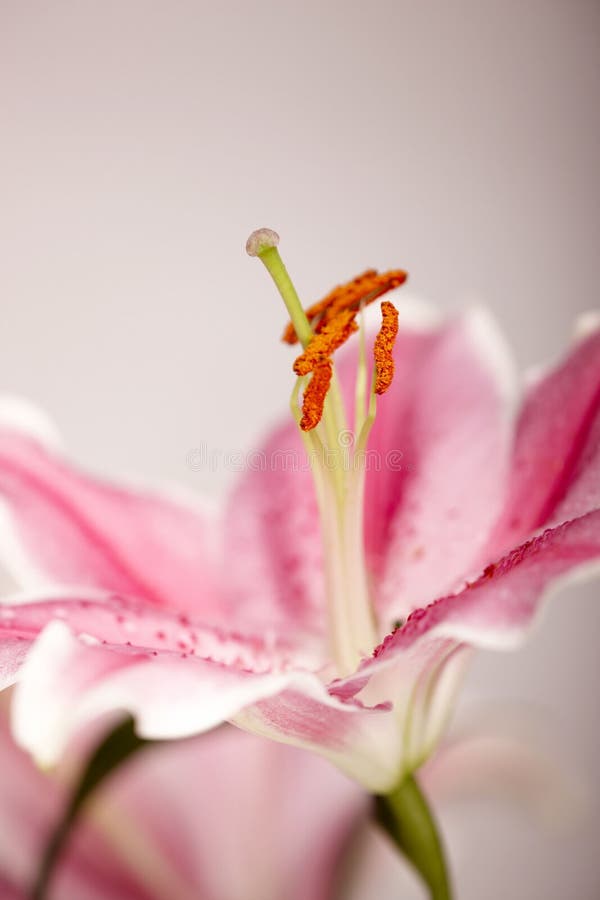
(338, 455)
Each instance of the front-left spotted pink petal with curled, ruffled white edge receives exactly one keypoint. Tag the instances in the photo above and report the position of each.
(178, 675)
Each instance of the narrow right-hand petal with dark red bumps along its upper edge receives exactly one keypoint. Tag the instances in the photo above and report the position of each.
(420, 666)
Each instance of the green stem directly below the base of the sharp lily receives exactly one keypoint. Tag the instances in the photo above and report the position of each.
(405, 815)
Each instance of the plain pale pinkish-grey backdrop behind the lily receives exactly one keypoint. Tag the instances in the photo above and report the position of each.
(142, 141)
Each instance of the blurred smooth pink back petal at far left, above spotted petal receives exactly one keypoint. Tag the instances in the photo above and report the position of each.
(76, 529)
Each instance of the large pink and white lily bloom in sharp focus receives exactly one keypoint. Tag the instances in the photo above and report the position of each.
(336, 604)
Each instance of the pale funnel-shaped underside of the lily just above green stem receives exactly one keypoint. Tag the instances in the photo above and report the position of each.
(386, 722)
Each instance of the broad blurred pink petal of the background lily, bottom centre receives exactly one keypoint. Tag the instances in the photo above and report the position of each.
(238, 816)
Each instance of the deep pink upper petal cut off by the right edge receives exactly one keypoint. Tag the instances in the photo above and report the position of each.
(556, 459)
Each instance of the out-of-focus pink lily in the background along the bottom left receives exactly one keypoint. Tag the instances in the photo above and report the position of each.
(226, 816)
